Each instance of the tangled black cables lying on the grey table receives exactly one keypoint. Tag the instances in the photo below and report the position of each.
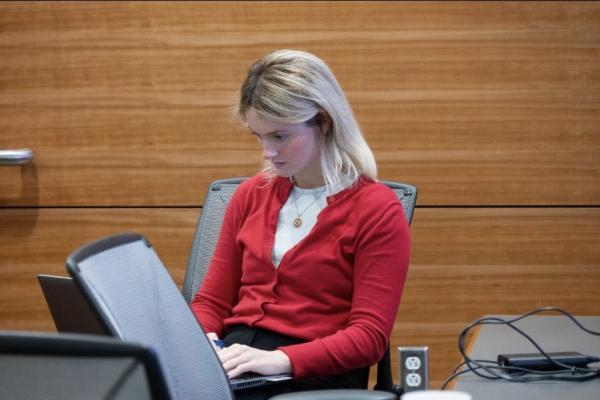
(518, 374)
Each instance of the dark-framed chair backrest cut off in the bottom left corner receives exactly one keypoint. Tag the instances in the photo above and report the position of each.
(53, 367)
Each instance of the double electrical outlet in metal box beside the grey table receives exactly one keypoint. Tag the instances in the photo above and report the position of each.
(413, 368)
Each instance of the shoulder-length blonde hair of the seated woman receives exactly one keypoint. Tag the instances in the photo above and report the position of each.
(290, 86)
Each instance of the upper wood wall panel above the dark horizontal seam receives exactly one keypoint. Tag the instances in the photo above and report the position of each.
(475, 103)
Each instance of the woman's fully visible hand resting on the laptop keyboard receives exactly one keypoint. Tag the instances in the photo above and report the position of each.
(238, 359)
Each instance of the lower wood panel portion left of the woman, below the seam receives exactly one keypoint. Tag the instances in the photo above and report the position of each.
(39, 241)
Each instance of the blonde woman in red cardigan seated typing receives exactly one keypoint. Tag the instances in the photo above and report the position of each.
(313, 253)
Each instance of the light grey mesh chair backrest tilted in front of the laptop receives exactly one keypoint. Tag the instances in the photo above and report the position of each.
(136, 300)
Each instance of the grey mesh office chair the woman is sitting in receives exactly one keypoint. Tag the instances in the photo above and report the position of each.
(207, 232)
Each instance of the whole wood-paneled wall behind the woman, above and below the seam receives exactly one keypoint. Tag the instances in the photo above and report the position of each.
(491, 109)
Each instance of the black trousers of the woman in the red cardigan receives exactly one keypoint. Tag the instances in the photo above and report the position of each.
(267, 340)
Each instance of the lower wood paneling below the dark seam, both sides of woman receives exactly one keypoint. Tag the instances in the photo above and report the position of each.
(465, 263)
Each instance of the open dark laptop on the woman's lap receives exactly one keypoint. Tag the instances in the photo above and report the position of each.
(72, 314)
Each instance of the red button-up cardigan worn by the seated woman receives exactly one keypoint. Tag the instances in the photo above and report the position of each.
(339, 288)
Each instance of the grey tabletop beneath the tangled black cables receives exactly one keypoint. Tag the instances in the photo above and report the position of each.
(553, 333)
